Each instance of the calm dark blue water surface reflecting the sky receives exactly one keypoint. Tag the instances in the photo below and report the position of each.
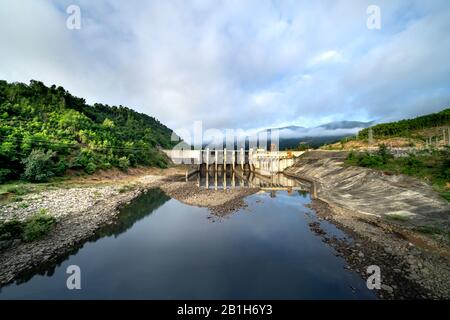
(164, 249)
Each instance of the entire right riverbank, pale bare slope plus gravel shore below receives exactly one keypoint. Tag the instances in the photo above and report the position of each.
(358, 201)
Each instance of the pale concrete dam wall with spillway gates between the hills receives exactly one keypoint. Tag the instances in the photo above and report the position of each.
(259, 160)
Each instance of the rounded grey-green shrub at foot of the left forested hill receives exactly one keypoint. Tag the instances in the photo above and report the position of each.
(38, 165)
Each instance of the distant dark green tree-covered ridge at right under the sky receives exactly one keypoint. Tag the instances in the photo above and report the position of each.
(409, 127)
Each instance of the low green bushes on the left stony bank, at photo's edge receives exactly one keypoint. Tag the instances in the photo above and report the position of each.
(33, 228)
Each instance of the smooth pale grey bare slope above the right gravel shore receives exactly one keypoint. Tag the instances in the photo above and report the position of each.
(372, 192)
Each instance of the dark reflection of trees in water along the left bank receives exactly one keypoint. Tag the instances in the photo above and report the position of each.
(139, 208)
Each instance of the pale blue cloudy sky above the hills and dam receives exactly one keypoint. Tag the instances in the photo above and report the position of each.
(239, 63)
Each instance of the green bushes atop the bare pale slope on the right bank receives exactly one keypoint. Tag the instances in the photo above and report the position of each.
(432, 166)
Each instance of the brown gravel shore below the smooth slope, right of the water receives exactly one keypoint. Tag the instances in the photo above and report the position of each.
(407, 270)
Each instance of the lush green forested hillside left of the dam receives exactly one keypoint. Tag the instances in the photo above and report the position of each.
(45, 130)
